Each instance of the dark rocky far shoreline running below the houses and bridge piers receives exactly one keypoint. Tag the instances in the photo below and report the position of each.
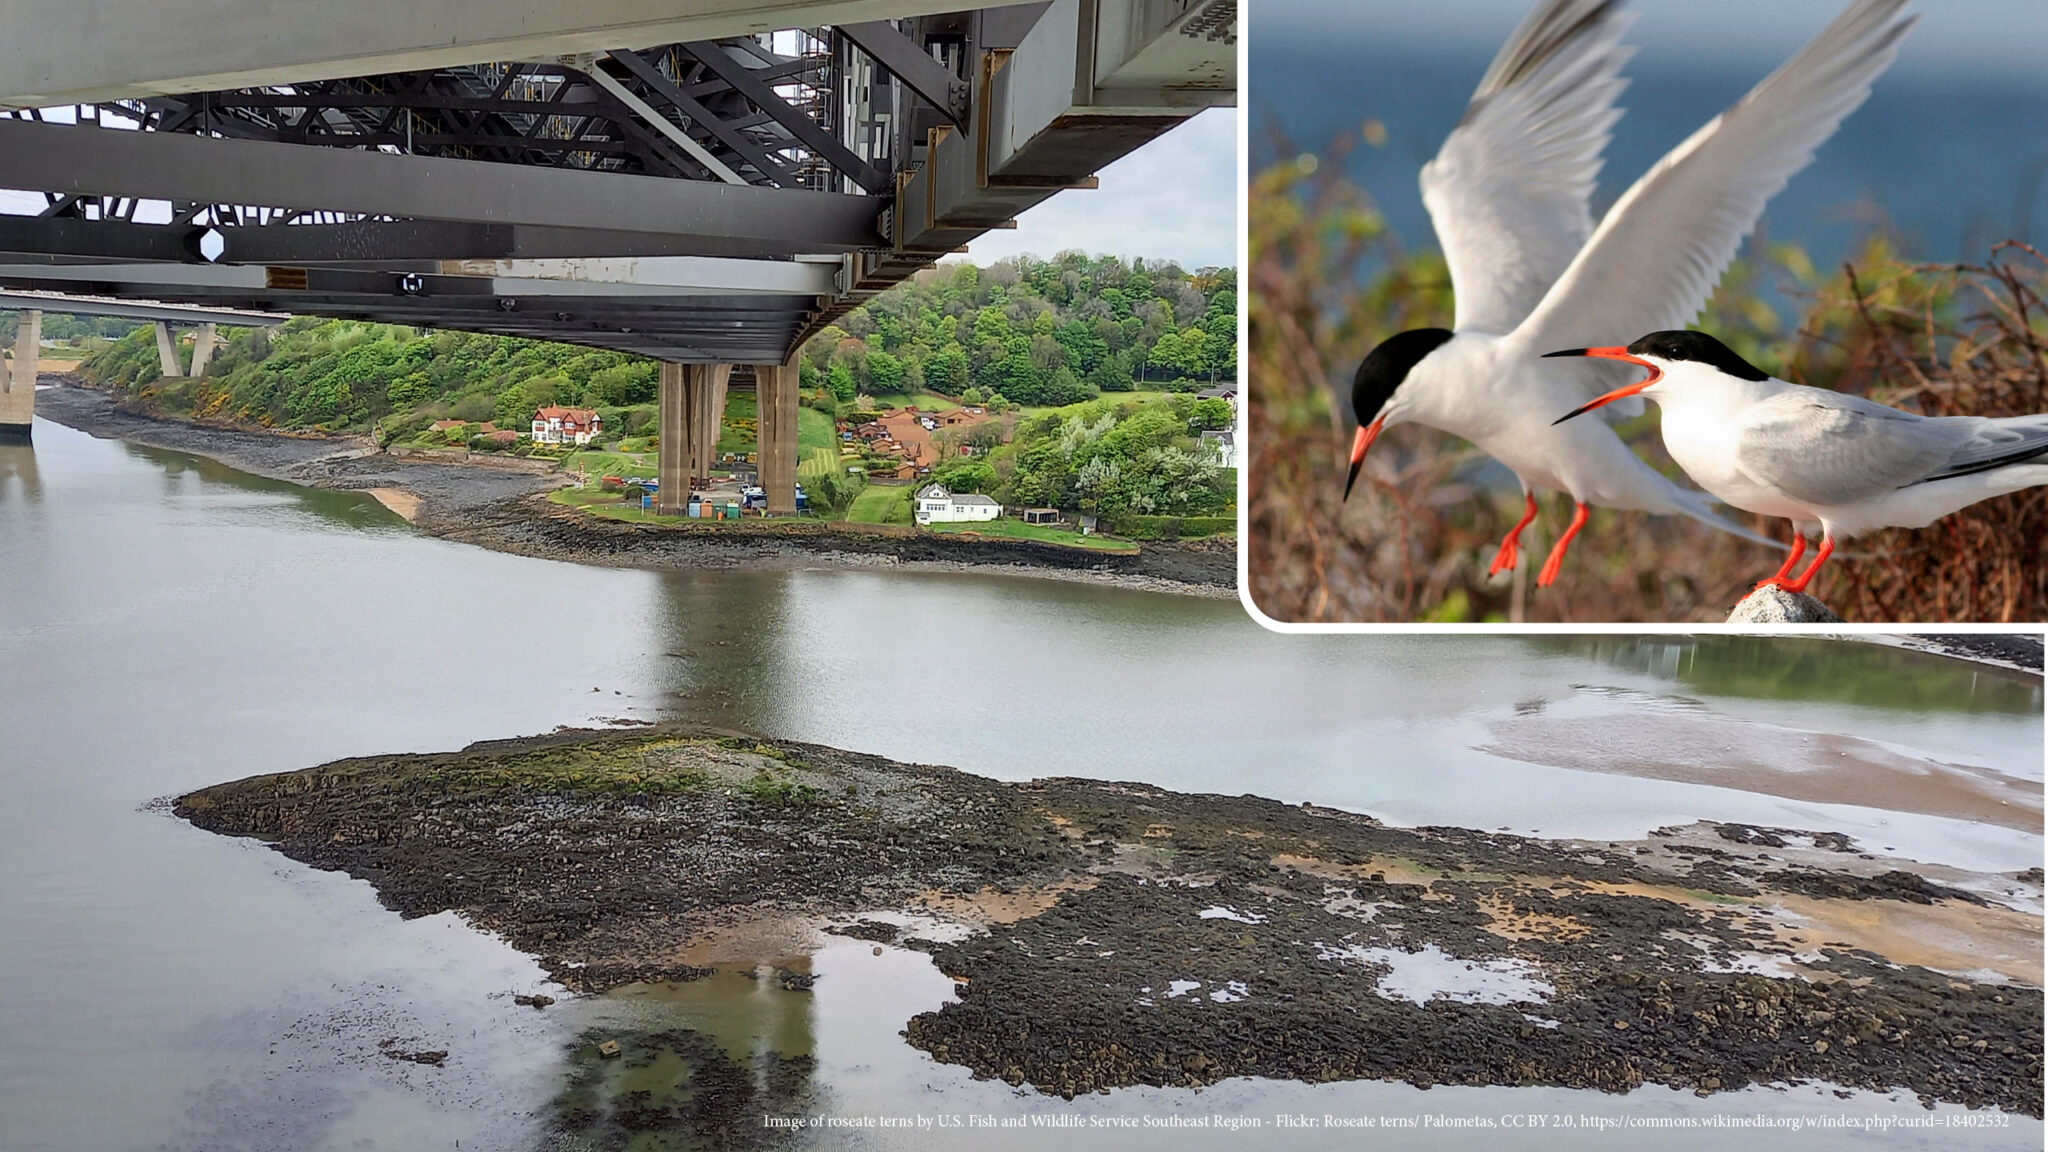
(509, 511)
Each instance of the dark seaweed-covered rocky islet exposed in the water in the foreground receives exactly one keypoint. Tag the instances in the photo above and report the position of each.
(1117, 934)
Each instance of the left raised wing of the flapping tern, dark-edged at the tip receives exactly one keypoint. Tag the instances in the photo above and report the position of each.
(1510, 188)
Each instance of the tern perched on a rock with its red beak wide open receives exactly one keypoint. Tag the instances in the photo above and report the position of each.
(1818, 458)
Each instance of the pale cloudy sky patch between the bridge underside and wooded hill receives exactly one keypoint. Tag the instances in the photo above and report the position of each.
(1172, 200)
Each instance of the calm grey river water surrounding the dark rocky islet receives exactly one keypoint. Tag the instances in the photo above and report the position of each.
(173, 624)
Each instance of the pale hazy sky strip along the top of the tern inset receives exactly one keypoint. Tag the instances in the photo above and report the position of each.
(1953, 34)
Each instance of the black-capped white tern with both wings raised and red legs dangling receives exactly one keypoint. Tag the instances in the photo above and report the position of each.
(1508, 198)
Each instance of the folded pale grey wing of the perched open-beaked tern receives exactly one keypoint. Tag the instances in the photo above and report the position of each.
(1828, 448)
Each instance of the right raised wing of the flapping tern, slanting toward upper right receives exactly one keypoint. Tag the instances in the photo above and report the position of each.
(1660, 251)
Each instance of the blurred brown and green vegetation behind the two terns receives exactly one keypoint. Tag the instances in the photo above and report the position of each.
(1328, 282)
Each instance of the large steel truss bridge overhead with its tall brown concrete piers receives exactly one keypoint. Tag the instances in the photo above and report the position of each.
(699, 181)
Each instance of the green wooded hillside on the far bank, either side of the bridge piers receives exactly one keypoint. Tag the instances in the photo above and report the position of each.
(1025, 333)
